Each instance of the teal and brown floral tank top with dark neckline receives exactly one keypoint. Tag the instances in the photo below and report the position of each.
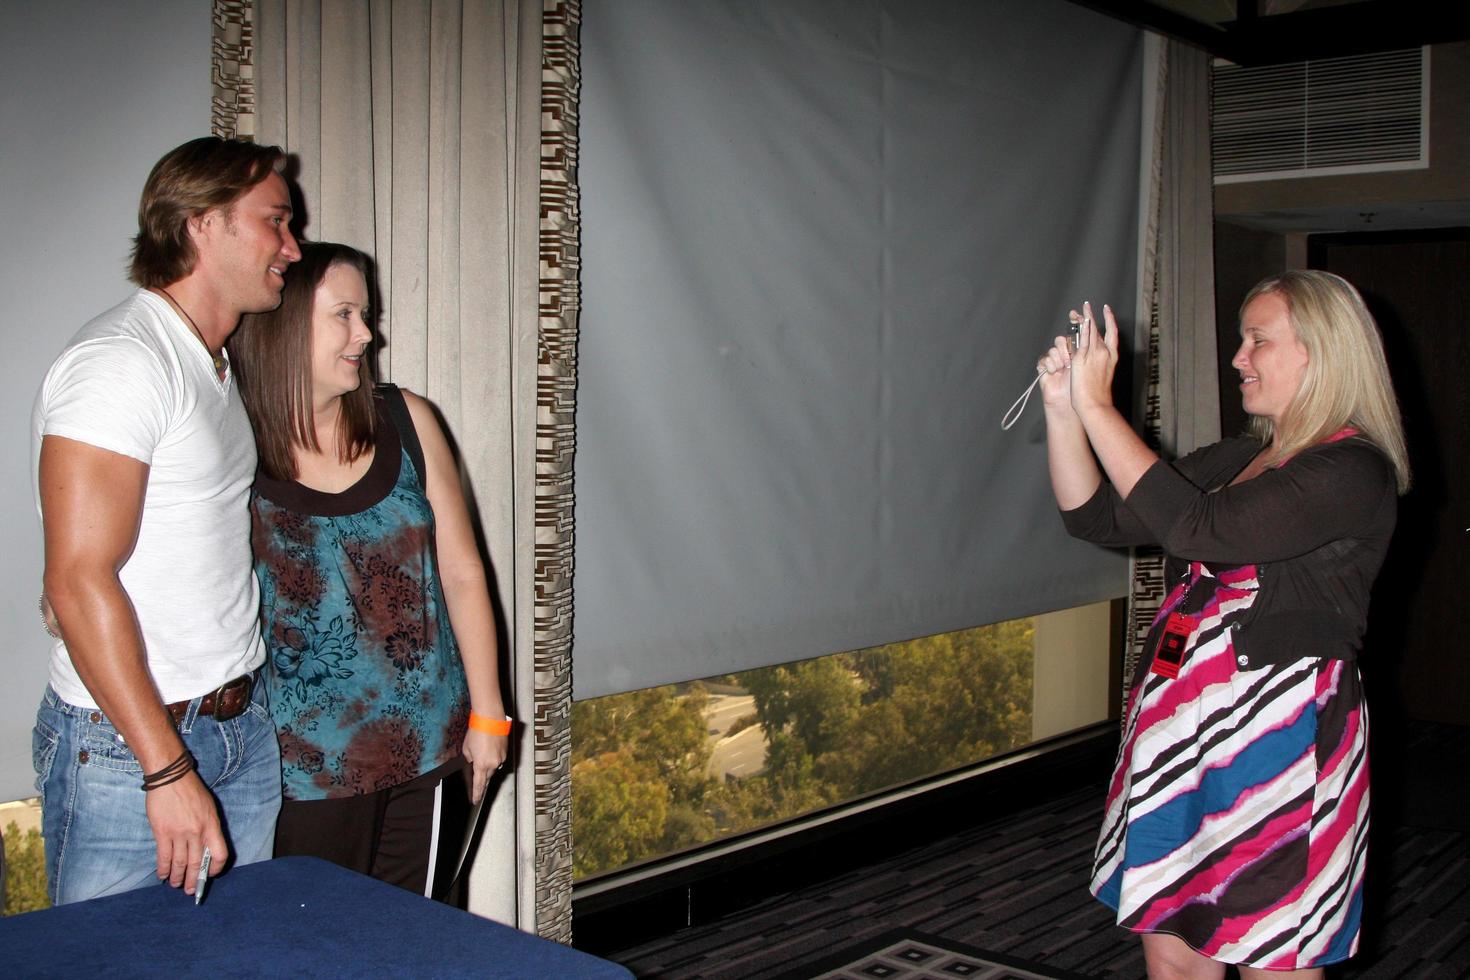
(365, 678)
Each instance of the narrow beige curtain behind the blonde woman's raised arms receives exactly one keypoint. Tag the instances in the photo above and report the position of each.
(1181, 402)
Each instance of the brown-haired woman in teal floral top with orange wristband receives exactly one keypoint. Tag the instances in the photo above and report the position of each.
(376, 609)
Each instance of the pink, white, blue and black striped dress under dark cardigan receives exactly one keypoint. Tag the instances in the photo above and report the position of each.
(1238, 812)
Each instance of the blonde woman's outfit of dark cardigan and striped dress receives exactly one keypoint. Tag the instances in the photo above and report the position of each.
(1238, 812)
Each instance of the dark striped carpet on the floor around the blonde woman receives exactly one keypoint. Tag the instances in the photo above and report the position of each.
(1018, 888)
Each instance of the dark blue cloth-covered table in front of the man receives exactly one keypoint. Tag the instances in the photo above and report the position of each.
(290, 918)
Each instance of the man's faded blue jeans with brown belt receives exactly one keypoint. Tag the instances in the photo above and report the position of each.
(98, 834)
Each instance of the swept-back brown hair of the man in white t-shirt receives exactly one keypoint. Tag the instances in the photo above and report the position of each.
(190, 180)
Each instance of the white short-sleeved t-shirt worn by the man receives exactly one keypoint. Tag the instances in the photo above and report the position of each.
(137, 381)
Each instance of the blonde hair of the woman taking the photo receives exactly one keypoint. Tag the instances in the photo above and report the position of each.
(1346, 383)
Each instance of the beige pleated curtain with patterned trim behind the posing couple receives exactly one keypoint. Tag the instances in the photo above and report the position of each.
(440, 139)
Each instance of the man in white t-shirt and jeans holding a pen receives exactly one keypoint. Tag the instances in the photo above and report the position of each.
(154, 743)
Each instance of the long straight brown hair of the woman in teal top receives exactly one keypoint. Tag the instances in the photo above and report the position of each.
(271, 355)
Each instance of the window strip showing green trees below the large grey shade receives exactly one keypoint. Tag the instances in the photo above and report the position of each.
(667, 769)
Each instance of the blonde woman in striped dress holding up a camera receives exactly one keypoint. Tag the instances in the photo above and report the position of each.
(1237, 818)
